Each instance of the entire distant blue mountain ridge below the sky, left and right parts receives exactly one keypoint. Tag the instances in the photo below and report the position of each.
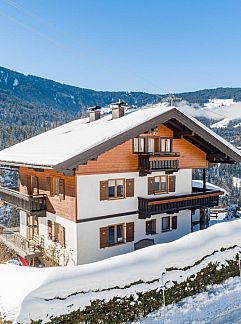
(73, 100)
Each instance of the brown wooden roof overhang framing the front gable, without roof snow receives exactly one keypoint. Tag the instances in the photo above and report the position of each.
(217, 149)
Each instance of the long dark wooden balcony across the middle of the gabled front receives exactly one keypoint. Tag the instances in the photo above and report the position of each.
(172, 204)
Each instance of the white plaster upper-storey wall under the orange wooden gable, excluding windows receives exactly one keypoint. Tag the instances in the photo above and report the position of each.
(88, 193)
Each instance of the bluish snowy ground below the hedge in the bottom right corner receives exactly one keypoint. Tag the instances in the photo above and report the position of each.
(221, 304)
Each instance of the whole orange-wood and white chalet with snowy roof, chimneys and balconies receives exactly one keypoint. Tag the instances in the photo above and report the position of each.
(98, 187)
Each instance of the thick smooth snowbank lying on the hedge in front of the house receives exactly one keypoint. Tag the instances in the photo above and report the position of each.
(40, 293)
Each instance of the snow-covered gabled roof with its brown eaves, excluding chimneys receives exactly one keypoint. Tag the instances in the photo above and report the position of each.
(72, 144)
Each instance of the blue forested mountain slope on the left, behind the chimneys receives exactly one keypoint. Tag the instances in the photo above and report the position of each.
(63, 97)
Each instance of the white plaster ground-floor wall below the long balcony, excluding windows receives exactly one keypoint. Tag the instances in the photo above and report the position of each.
(89, 235)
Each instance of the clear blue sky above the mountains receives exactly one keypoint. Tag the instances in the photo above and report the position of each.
(158, 46)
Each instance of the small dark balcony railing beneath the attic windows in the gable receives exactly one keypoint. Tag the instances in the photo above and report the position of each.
(151, 163)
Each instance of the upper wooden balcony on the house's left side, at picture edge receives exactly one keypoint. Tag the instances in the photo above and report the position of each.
(35, 204)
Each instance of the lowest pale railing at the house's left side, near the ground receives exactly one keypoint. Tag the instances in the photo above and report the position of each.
(23, 247)
